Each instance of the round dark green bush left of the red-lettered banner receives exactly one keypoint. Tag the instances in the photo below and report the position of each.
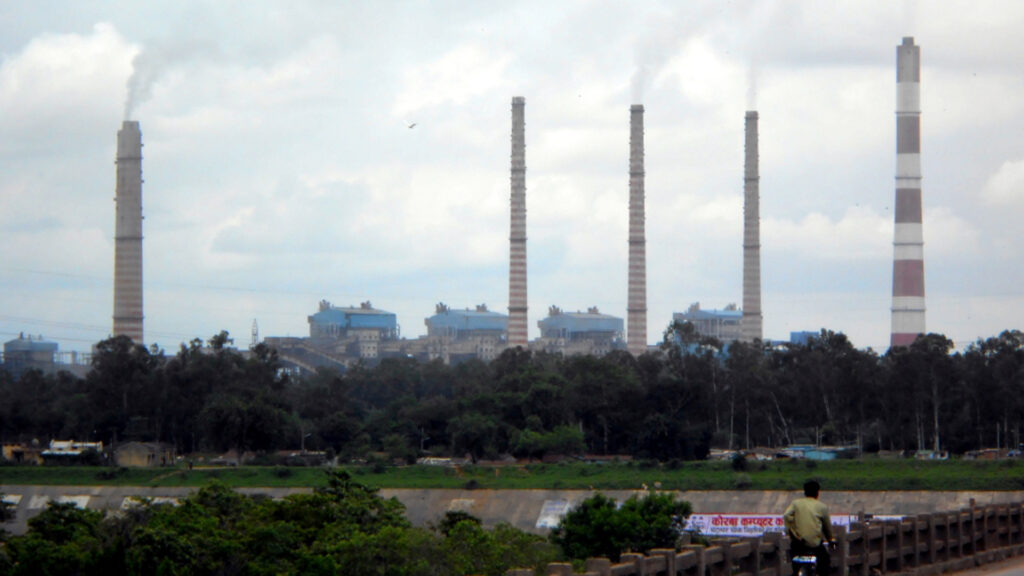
(600, 528)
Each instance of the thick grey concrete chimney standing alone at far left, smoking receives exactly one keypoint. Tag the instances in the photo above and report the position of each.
(129, 235)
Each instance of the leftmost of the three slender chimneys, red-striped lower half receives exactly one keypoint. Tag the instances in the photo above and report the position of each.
(518, 239)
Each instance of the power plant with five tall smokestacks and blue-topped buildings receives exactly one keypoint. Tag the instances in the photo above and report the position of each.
(340, 335)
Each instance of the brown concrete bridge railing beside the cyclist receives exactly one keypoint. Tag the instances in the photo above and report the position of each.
(925, 544)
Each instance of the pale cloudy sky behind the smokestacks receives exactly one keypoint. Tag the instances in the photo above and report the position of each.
(280, 170)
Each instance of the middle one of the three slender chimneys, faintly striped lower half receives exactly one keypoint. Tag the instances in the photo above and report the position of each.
(636, 330)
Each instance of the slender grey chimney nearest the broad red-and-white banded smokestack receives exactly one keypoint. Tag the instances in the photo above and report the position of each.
(751, 325)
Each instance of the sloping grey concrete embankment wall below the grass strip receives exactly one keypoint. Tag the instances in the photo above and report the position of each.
(534, 511)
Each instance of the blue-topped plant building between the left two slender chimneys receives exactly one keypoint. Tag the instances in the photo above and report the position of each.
(580, 333)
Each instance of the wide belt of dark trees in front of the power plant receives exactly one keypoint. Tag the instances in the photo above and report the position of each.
(679, 402)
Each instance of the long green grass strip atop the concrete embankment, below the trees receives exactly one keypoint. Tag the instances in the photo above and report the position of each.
(869, 474)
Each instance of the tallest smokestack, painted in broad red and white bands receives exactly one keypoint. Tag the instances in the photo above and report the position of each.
(909, 244)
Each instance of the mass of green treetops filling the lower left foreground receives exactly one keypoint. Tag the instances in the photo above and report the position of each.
(345, 528)
